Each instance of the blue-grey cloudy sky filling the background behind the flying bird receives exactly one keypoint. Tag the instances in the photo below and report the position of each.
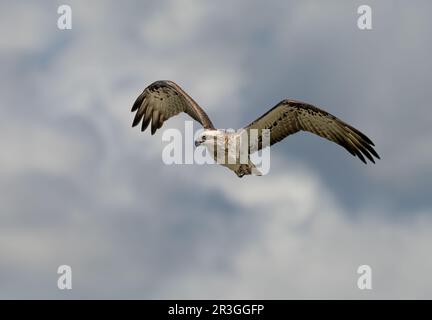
(79, 186)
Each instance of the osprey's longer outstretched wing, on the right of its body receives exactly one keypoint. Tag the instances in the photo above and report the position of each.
(290, 116)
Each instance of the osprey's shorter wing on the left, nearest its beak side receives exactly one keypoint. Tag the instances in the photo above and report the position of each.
(162, 100)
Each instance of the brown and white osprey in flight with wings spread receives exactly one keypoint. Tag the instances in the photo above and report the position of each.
(164, 99)
